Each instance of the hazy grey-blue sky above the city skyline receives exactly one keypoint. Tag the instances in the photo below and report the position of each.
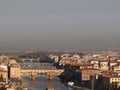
(59, 24)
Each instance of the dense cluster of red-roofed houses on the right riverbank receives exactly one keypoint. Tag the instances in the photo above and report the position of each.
(104, 67)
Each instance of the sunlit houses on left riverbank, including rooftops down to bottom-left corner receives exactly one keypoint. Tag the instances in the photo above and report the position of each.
(8, 69)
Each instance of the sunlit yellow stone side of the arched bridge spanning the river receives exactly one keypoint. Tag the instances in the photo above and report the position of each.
(49, 73)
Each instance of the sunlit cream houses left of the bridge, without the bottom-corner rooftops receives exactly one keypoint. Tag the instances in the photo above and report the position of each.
(9, 68)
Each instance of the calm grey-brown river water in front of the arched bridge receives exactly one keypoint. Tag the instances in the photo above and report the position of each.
(40, 83)
